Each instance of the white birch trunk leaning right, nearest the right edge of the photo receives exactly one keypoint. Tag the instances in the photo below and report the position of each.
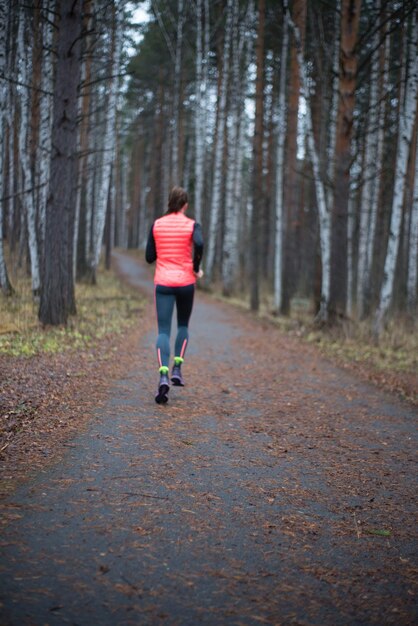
(406, 123)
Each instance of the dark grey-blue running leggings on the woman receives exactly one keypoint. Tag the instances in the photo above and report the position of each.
(165, 298)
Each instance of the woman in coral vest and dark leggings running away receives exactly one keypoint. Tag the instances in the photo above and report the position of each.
(176, 243)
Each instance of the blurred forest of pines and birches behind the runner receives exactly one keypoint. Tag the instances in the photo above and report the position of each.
(293, 126)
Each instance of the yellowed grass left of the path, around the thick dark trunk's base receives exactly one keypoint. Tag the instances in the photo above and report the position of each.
(103, 309)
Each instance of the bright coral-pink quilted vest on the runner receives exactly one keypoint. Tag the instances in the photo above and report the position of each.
(173, 236)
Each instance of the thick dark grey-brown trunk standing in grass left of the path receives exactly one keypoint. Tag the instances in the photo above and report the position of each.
(57, 294)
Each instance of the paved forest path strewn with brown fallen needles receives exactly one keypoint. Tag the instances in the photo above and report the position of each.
(272, 489)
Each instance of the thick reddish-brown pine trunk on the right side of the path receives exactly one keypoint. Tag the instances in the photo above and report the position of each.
(350, 18)
